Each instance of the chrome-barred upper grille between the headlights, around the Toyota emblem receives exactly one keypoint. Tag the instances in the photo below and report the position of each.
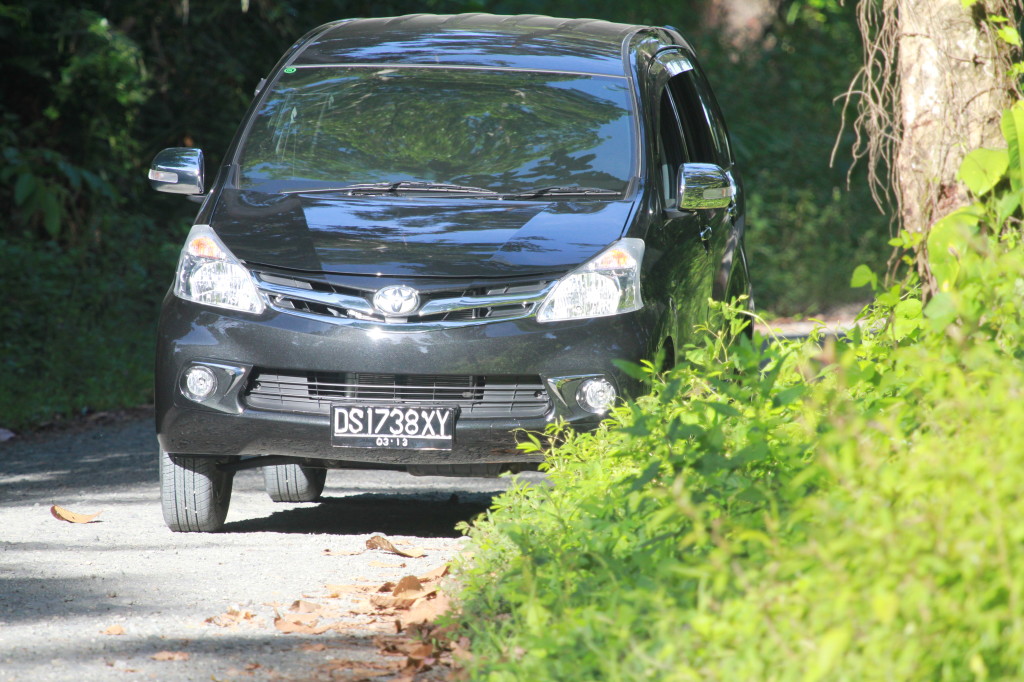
(323, 301)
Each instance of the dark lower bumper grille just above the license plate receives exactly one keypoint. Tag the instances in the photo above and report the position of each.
(482, 398)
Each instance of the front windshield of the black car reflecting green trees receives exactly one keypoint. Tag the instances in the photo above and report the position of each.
(502, 132)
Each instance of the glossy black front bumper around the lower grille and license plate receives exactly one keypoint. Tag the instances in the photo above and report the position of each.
(238, 347)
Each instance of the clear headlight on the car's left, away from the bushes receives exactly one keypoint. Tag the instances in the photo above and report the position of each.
(209, 274)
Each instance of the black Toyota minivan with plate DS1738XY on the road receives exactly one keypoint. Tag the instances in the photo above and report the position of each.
(432, 233)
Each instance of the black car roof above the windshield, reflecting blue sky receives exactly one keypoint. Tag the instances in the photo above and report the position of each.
(526, 41)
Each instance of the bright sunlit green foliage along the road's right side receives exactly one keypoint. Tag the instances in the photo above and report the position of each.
(793, 513)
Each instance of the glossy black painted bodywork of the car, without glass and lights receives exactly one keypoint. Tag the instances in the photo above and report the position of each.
(374, 241)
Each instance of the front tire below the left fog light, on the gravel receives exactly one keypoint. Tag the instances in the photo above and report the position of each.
(194, 493)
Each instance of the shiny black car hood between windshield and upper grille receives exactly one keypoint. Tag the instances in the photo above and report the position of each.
(416, 236)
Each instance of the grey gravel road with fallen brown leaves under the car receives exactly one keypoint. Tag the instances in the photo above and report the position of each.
(64, 585)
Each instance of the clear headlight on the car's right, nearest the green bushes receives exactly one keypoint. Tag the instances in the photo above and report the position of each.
(608, 285)
